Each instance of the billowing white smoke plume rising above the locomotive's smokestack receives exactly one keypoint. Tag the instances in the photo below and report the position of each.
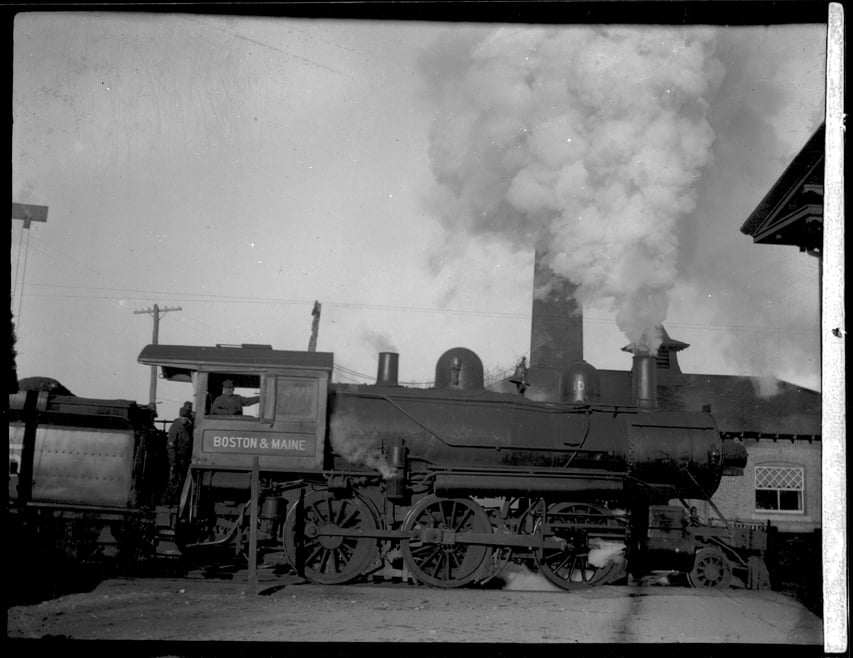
(586, 142)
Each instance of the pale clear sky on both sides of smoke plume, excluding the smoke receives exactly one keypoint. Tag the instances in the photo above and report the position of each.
(241, 168)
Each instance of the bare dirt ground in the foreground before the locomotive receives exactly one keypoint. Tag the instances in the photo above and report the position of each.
(528, 610)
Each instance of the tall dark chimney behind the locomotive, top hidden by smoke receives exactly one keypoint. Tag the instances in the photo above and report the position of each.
(556, 336)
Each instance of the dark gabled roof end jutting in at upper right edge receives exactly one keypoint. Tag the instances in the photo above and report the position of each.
(791, 212)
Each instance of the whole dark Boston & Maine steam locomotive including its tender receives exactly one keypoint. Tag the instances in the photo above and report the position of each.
(445, 486)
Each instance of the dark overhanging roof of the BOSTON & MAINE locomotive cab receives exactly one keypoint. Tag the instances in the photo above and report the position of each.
(177, 360)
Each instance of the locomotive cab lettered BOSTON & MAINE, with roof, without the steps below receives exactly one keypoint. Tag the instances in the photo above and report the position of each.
(283, 420)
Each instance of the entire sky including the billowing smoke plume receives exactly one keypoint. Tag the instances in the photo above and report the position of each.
(402, 174)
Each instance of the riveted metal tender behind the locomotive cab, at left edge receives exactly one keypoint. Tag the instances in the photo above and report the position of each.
(83, 474)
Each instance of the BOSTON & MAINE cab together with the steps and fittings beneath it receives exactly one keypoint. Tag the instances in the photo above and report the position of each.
(275, 414)
